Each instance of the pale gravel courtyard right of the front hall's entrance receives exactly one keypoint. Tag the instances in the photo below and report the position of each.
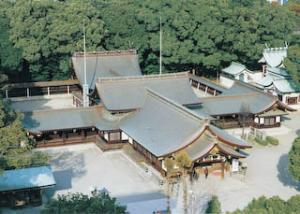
(267, 175)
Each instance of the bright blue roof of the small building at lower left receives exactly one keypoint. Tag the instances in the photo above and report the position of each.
(27, 178)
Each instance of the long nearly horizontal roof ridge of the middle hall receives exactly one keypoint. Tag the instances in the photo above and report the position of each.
(142, 77)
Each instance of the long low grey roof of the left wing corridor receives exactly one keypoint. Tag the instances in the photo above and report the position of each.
(61, 119)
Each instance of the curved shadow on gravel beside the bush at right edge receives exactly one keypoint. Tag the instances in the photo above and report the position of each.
(284, 175)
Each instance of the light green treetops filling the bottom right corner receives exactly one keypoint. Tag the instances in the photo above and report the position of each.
(274, 205)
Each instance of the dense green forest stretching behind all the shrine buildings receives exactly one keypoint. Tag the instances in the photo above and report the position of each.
(37, 38)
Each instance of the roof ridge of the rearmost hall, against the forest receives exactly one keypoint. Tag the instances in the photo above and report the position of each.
(106, 53)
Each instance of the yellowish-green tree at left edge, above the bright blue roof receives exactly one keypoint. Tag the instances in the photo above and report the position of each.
(15, 151)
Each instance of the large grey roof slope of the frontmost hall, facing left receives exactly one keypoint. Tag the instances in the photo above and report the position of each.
(162, 126)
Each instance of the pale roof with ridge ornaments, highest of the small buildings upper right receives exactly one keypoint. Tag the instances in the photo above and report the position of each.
(274, 56)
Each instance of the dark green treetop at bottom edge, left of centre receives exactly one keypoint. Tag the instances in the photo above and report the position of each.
(100, 203)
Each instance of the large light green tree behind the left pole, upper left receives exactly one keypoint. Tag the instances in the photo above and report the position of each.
(49, 32)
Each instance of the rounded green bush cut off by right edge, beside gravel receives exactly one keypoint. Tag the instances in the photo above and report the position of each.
(294, 159)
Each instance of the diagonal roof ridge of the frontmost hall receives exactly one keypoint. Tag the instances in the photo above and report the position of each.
(175, 105)
